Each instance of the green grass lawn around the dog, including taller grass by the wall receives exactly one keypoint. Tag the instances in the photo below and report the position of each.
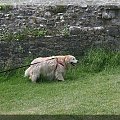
(90, 88)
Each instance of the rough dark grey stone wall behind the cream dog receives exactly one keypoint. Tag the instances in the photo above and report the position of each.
(86, 26)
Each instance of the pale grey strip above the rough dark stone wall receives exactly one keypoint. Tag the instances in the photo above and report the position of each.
(61, 2)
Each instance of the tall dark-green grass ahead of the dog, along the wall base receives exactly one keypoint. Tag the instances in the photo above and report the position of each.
(94, 61)
